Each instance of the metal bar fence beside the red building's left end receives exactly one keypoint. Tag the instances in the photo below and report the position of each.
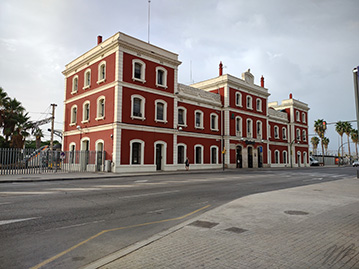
(43, 160)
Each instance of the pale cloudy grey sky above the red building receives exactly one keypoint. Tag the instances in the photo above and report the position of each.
(308, 47)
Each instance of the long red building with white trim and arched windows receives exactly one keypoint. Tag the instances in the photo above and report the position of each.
(123, 97)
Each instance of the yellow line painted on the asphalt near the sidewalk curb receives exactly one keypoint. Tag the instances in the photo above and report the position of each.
(112, 230)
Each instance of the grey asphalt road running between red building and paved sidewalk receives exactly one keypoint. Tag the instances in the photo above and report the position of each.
(68, 224)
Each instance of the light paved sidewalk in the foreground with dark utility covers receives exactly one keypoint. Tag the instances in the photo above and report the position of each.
(315, 226)
